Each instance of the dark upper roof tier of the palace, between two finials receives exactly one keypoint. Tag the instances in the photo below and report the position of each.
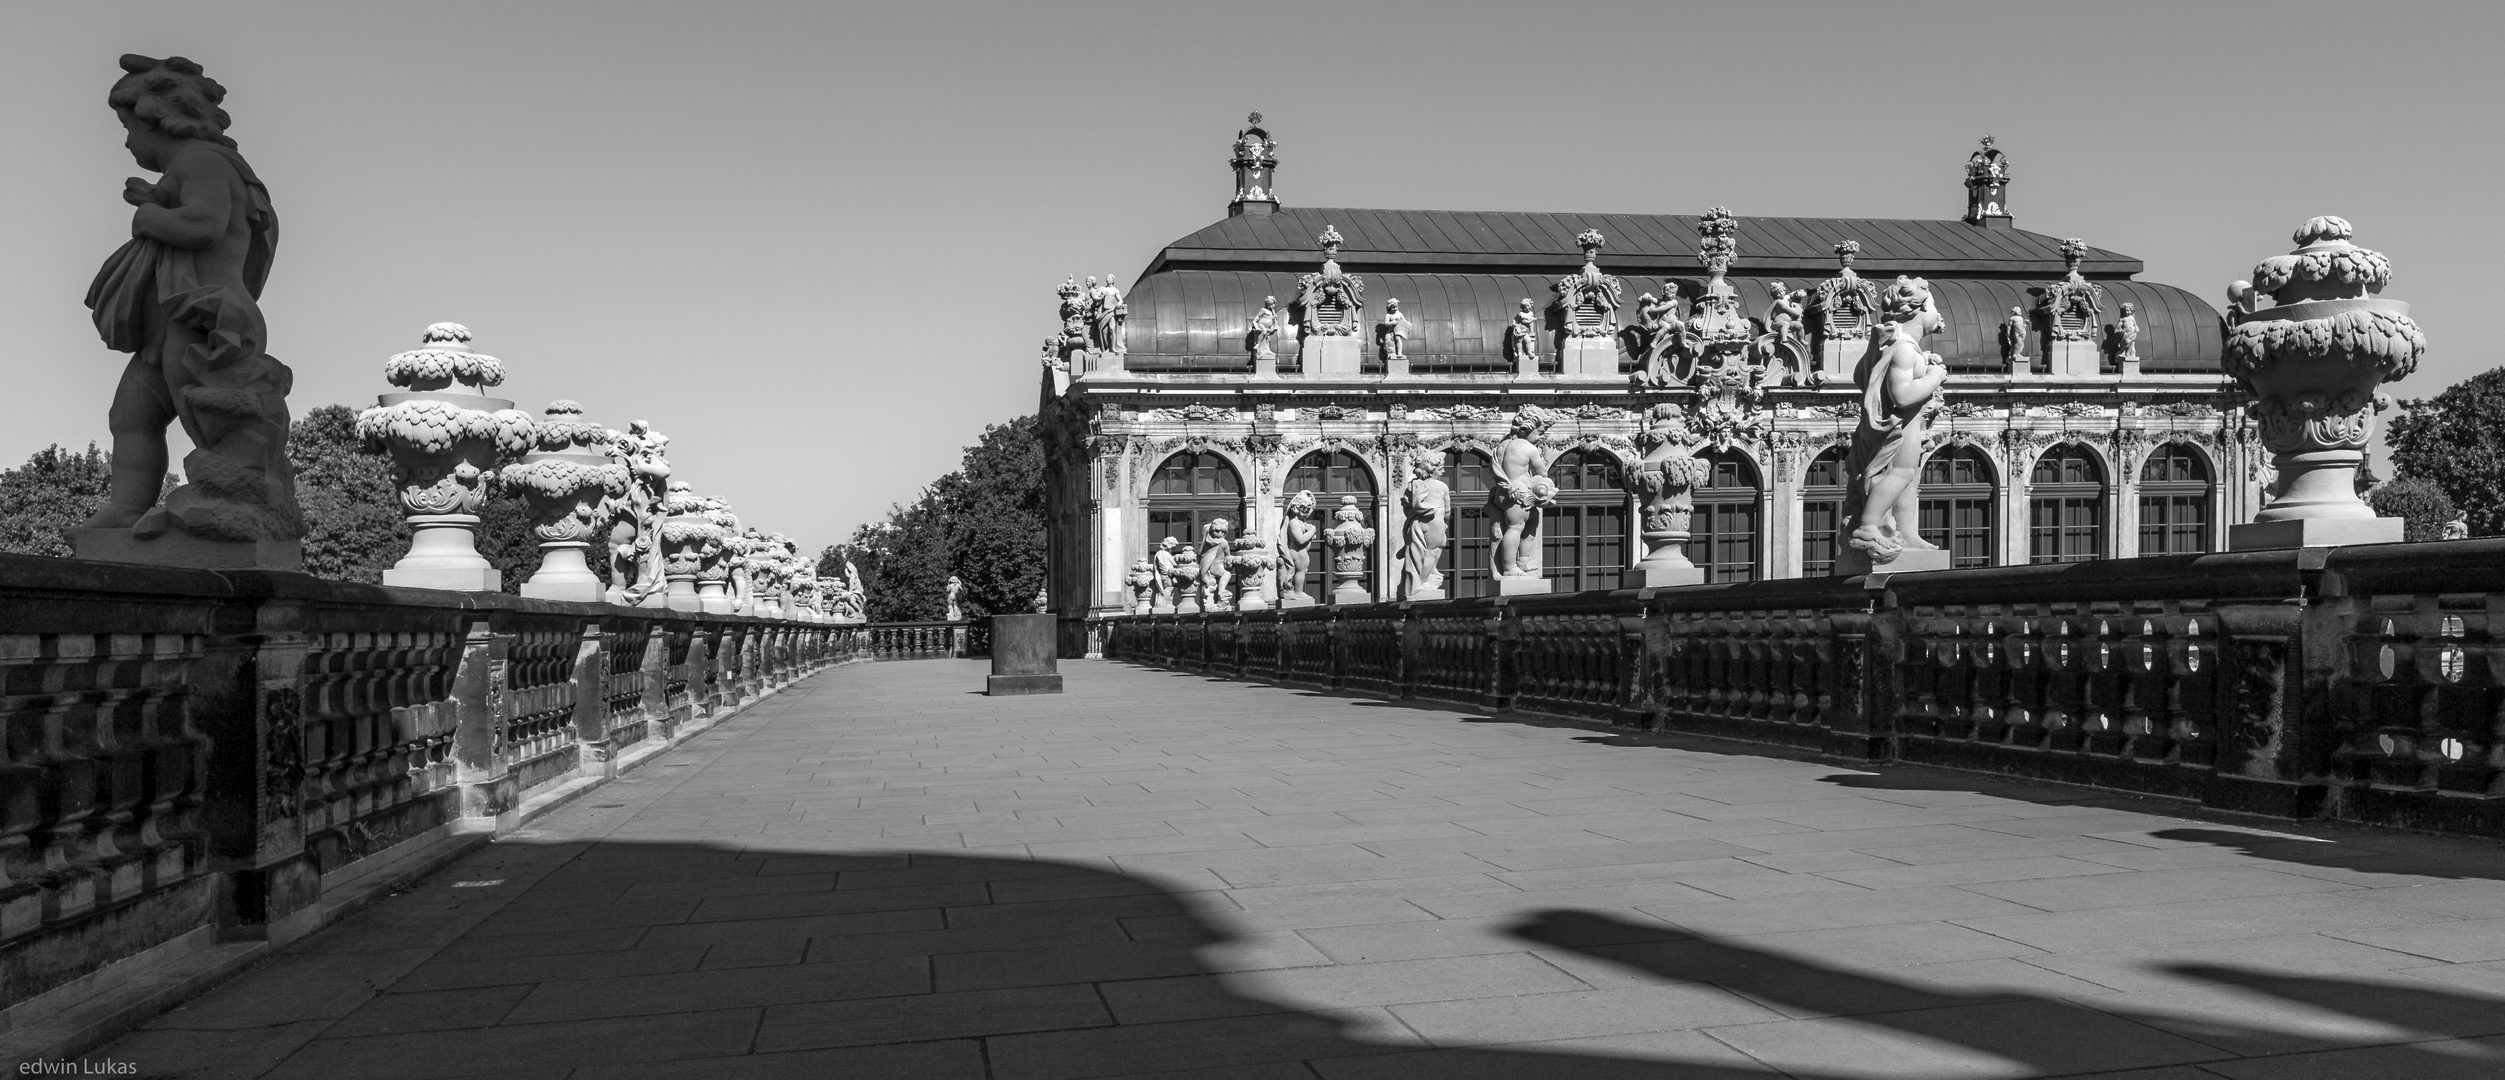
(1637, 244)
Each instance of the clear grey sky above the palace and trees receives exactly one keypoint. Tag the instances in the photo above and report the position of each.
(818, 242)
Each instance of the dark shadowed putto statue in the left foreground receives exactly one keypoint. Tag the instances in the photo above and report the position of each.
(184, 299)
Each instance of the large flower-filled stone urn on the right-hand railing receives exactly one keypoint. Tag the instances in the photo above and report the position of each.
(2313, 360)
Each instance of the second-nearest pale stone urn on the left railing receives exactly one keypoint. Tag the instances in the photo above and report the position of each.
(572, 485)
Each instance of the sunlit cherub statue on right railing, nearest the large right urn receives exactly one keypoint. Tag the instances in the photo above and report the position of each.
(1898, 380)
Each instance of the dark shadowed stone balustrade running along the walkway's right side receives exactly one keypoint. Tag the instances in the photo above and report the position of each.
(2361, 683)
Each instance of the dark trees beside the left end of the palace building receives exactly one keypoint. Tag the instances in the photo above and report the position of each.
(983, 522)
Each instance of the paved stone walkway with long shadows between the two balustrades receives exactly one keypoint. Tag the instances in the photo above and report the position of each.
(888, 876)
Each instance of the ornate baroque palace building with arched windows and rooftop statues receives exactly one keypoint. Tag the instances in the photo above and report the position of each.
(1254, 360)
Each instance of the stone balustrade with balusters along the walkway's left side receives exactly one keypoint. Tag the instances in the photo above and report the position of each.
(217, 750)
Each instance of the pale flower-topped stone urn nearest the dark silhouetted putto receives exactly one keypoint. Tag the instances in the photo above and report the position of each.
(447, 440)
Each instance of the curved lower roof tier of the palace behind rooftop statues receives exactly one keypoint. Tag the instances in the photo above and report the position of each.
(1189, 319)
